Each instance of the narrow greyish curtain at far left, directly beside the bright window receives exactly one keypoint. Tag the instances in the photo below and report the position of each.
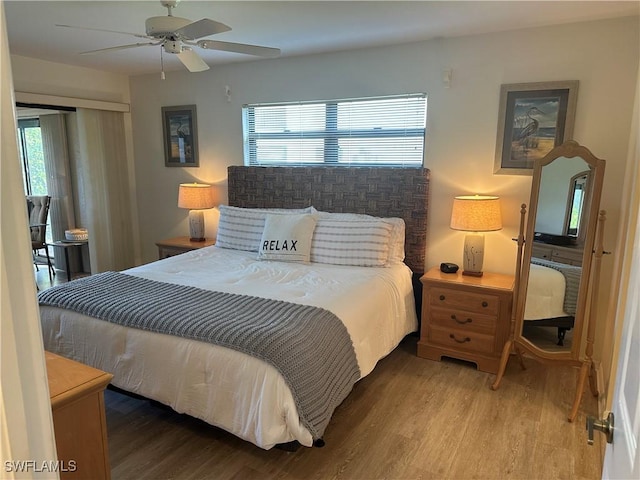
(59, 181)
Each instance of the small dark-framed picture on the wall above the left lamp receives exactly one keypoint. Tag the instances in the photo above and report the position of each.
(180, 131)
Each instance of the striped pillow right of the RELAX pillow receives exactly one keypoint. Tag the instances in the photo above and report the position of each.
(356, 242)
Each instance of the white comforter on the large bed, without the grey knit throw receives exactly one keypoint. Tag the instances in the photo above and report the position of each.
(228, 389)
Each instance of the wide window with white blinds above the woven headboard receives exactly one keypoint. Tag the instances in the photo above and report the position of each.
(381, 131)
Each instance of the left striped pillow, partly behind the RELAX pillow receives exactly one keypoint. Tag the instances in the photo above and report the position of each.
(241, 228)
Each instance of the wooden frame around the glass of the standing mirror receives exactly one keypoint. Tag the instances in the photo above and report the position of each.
(568, 149)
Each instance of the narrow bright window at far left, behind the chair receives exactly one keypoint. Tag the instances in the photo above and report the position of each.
(32, 156)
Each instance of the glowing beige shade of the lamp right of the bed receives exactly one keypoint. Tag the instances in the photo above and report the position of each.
(476, 213)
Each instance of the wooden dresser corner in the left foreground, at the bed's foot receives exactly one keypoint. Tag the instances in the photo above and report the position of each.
(77, 404)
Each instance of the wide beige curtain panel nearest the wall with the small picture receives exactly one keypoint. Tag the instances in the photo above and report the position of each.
(102, 193)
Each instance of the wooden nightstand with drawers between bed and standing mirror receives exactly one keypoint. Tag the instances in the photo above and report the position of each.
(465, 317)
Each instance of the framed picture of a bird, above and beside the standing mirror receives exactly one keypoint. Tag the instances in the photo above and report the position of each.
(533, 119)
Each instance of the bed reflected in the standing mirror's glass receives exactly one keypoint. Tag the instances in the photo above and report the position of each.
(552, 293)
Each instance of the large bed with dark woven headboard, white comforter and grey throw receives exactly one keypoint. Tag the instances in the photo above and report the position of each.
(248, 394)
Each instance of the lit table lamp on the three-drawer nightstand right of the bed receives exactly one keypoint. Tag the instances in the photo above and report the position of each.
(475, 213)
